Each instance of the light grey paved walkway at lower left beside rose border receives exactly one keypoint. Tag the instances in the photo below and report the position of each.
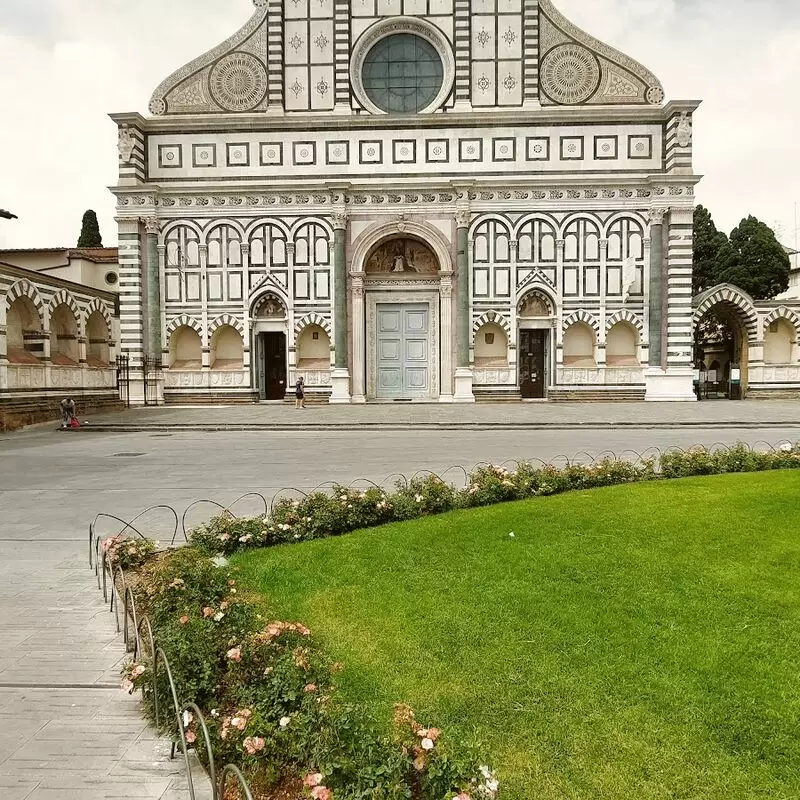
(67, 731)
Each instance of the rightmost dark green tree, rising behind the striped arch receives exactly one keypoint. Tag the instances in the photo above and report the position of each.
(754, 261)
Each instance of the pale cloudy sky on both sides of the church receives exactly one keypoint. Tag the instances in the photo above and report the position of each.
(66, 64)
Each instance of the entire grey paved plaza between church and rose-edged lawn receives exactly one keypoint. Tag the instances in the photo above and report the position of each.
(66, 730)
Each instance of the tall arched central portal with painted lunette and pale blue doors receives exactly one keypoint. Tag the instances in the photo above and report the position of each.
(402, 314)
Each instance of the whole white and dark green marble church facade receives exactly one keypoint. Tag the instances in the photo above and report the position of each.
(409, 200)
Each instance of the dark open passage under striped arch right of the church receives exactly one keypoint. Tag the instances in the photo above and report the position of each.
(722, 352)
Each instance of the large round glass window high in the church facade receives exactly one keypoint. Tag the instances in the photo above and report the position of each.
(403, 73)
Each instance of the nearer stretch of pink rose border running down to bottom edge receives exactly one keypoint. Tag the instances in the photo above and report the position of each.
(267, 693)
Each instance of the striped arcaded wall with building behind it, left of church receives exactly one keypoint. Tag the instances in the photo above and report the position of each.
(59, 332)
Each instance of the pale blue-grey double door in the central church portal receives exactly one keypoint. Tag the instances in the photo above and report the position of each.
(403, 352)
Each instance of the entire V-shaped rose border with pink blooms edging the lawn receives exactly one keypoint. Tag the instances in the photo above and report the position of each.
(268, 692)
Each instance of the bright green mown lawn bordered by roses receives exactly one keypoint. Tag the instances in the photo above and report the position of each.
(630, 643)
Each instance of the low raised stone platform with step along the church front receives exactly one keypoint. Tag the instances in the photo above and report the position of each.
(388, 416)
